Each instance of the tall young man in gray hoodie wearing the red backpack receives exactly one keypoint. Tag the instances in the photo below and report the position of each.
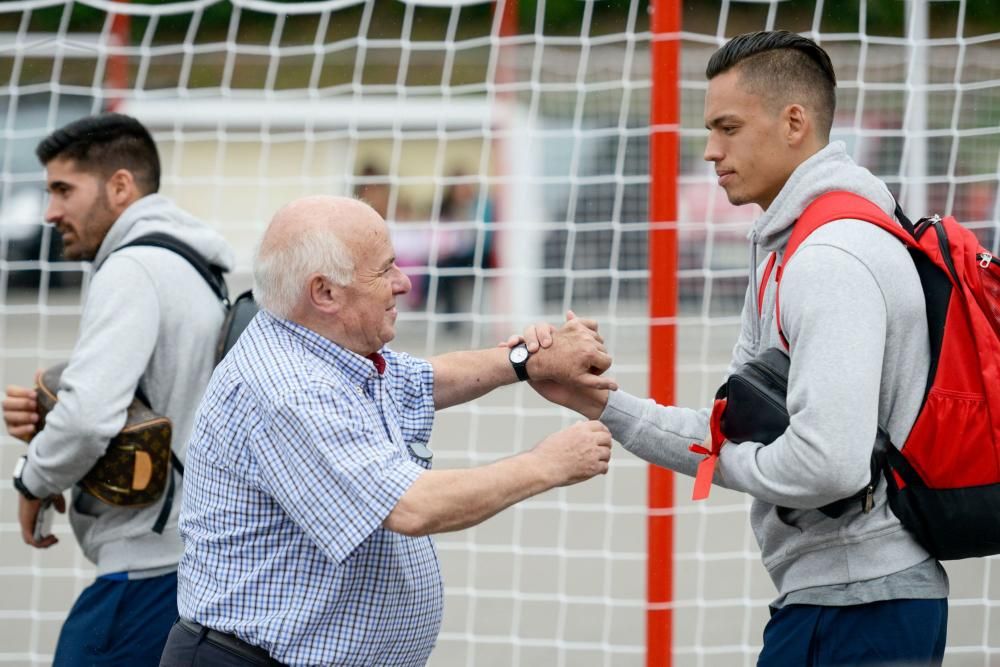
(856, 589)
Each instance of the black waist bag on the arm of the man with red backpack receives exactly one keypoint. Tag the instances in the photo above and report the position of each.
(756, 411)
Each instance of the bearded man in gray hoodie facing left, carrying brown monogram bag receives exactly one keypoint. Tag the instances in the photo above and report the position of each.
(149, 323)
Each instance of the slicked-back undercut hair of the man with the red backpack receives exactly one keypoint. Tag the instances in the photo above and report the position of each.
(782, 68)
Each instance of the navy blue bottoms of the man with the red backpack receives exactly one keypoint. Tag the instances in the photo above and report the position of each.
(900, 633)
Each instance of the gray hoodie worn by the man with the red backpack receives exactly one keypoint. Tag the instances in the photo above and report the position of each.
(853, 312)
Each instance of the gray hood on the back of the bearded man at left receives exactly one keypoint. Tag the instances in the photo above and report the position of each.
(156, 213)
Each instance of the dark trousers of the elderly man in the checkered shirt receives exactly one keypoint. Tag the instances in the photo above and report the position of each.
(191, 645)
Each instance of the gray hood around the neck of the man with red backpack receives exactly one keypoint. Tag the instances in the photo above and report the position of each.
(829, 169)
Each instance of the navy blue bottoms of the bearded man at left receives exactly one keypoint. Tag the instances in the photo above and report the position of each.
(117, 621)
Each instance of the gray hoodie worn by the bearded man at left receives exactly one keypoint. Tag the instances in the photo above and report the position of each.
(149, 321)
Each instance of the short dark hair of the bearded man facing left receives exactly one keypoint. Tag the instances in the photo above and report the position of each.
(106, 143)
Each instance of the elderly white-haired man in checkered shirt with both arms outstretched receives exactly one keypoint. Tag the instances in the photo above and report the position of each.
(310, 498)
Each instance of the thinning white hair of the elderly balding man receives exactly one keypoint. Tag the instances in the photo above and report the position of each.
(280, 270)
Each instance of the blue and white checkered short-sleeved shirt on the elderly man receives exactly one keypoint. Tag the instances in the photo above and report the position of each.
(299, 452)
